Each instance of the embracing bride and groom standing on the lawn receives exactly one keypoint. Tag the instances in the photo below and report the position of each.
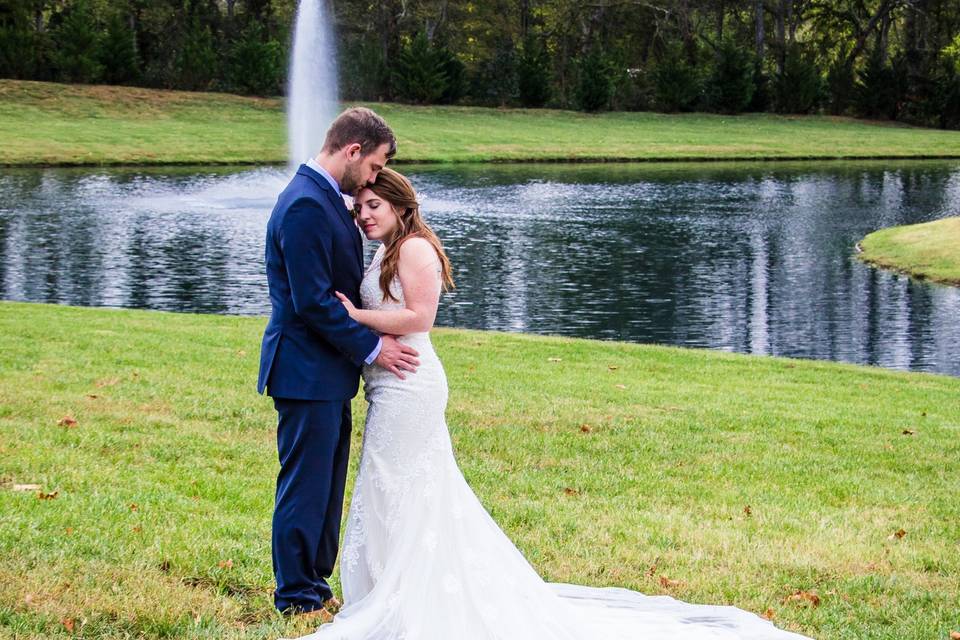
(421, 558)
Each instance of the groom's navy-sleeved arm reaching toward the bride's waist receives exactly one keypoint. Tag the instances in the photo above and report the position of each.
(306, 241)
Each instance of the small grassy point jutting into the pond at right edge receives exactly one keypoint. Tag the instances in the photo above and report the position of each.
(929, 251)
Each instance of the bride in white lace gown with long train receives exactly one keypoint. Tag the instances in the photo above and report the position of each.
(422, 559)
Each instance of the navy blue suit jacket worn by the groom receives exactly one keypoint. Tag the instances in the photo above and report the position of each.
(312, 349)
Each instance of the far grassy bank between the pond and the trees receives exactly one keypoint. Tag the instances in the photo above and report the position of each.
(46, 123)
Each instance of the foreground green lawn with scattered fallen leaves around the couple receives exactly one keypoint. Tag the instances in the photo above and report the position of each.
(713, 477)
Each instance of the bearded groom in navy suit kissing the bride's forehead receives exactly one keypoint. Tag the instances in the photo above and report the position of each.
(312, 351)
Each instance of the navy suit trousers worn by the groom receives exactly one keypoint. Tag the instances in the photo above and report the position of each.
(313, 440)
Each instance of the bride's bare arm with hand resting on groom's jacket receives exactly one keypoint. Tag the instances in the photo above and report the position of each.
(418, 270)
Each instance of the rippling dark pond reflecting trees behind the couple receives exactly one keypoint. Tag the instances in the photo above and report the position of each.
(748, 257)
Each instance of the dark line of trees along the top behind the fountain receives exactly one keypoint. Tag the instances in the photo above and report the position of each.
(885, 59)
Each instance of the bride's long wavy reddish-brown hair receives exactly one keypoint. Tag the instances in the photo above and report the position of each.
(400, 195)
